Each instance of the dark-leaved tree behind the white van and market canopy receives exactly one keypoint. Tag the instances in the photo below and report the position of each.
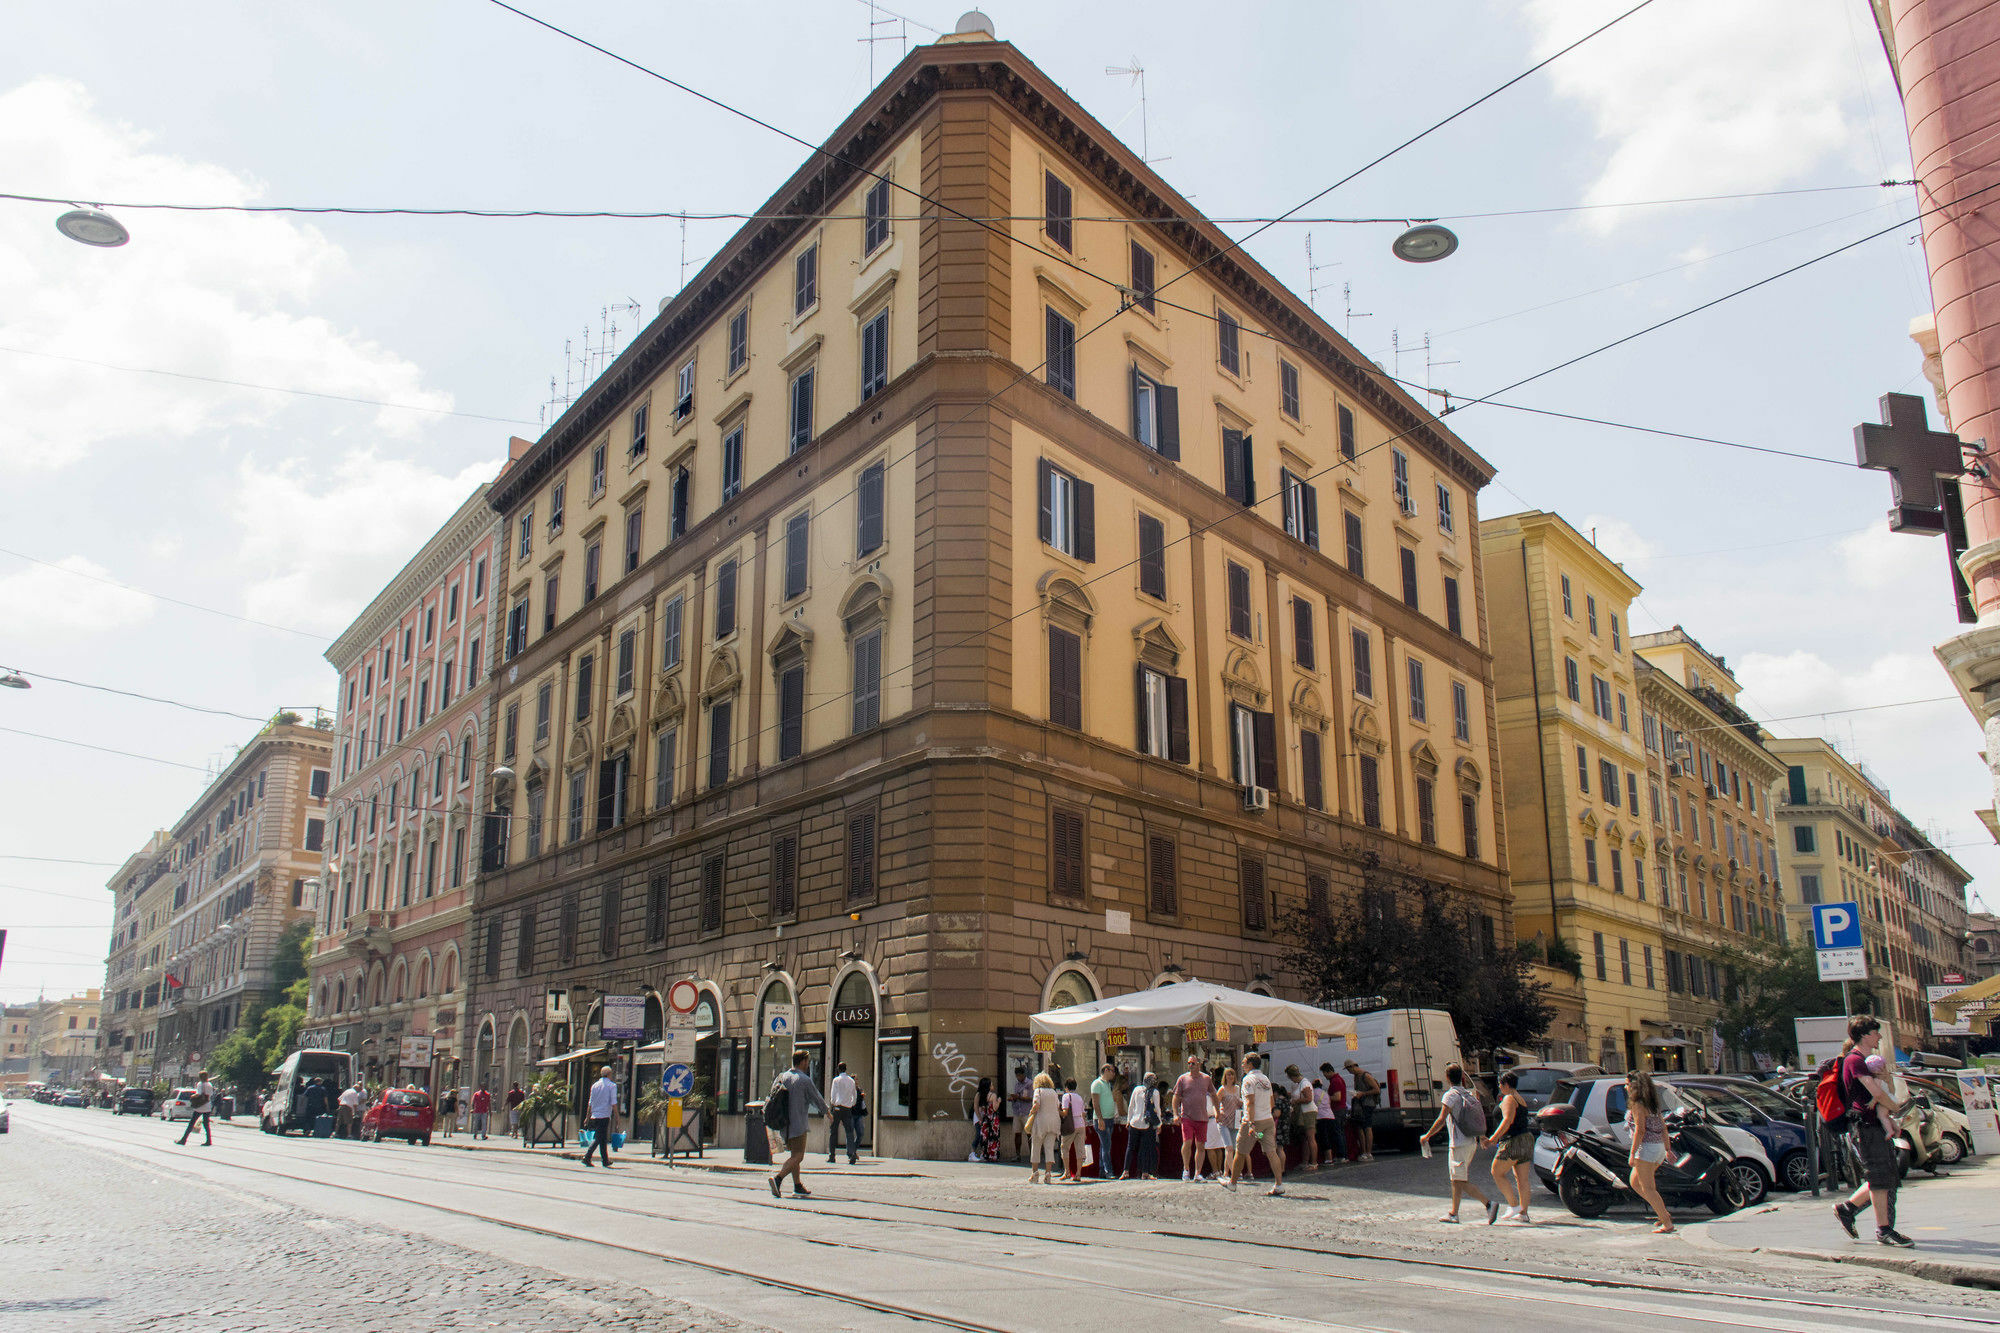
(1419, 946)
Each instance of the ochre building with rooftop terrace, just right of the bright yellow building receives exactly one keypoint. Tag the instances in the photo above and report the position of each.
(1715, 840)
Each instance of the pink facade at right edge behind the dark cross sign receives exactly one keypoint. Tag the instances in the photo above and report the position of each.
(1949, 73)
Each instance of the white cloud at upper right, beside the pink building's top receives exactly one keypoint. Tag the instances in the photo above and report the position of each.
(1709, 97)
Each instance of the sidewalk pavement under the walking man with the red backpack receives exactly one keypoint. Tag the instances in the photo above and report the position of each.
(1951, 1218)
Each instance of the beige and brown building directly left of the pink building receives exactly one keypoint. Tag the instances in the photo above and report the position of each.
(241, 862)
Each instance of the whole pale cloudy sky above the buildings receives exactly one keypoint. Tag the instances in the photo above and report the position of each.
(421, 345)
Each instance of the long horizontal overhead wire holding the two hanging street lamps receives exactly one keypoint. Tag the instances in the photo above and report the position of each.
(687, 215)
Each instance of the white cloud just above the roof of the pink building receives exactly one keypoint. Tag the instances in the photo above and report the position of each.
(329, 541)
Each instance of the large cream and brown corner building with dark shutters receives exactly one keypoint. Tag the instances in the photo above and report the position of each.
(933, 621)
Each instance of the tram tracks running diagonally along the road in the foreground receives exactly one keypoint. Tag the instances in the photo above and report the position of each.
(843, 1210)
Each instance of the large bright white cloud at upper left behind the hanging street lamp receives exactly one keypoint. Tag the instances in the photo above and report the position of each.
(213, 295)
